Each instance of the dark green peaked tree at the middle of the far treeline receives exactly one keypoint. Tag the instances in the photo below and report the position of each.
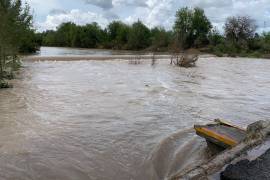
(139, 36)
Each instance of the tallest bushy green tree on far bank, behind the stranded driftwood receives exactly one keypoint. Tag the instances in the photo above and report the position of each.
(191, 27)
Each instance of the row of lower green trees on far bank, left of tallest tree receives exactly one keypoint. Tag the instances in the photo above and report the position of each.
(117, 35)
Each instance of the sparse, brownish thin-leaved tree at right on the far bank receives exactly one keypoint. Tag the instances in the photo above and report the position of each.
(239, 30)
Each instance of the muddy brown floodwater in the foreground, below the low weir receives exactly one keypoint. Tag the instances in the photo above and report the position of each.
(115, 120)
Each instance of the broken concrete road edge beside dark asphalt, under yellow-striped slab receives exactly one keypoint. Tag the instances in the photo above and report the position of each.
(256, 134)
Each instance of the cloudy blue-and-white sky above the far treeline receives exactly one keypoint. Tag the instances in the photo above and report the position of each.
(50, 13)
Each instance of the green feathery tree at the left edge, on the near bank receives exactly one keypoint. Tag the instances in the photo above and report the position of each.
(15, 26)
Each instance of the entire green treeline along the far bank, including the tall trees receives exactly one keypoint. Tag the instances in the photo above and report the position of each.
(192, 29)
